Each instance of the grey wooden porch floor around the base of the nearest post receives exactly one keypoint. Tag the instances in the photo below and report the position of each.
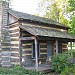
(41, 67)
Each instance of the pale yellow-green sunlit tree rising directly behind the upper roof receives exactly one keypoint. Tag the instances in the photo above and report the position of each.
(55, 10)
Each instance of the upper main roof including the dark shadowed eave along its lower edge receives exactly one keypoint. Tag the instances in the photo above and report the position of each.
(35, 19)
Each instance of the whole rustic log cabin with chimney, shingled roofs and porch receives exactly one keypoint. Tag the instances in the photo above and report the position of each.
(30, 40)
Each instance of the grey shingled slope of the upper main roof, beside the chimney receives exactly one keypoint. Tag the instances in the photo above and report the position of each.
(21, 15)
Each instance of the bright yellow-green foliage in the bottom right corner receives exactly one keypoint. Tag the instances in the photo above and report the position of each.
(68, 70)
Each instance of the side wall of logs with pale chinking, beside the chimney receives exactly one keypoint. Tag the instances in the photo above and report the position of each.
(15, 43)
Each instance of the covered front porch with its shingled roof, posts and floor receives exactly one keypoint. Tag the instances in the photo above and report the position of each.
(52, 44)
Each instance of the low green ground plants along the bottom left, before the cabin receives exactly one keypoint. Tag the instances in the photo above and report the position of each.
(17, 70)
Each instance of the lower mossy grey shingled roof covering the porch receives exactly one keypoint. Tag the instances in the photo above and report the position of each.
(38, 31)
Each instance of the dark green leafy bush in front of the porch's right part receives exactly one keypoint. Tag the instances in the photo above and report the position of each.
(59, 62)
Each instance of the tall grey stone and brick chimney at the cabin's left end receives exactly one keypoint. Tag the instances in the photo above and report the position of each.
(5, 52)
